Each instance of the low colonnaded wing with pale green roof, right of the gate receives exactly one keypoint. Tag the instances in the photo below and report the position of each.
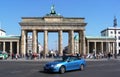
(101, 44)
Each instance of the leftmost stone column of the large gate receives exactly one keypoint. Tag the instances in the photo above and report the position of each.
(23, 42)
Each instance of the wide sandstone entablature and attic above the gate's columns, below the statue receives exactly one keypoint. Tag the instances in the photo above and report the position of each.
(52, 23)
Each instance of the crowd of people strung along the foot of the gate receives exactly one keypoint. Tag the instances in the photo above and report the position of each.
(31, 56)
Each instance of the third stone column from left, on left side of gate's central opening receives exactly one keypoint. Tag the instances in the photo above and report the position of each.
(45, 43)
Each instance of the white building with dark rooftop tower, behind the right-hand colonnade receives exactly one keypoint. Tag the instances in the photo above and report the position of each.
(113, 32)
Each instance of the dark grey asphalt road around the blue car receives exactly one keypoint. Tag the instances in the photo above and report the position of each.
(109, 68)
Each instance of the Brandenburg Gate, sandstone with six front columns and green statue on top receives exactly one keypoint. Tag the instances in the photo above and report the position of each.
(53, 23)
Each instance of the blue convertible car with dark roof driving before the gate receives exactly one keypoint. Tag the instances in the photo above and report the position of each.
(67, 63)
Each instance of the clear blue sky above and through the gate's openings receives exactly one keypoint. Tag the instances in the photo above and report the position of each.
(98, 14)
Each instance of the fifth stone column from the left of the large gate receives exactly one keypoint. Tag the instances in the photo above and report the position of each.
(71, 42)
